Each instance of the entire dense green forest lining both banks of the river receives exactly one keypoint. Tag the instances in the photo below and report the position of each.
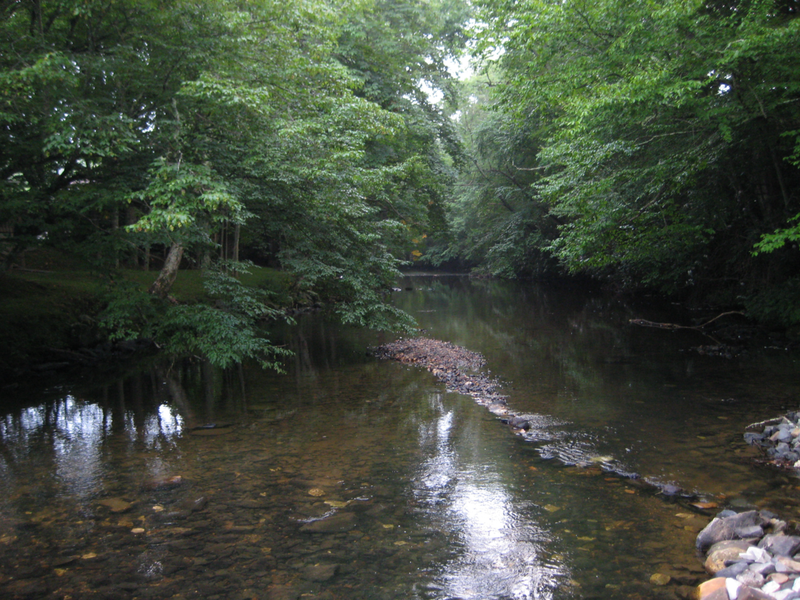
(648, 145)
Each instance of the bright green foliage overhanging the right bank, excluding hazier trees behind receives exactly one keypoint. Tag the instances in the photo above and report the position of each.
(667, 133)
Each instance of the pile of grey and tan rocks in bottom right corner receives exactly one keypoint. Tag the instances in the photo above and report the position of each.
(751, 555)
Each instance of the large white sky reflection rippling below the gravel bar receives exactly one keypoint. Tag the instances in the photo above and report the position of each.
(501, 552)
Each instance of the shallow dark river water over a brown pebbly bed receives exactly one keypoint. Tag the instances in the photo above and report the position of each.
(353, 478)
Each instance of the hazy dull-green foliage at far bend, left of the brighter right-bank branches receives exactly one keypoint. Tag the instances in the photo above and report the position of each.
(499, 223)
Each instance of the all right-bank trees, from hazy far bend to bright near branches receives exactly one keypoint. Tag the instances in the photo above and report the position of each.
(648, 144)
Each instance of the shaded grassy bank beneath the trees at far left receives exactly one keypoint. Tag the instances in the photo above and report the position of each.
(59, 309)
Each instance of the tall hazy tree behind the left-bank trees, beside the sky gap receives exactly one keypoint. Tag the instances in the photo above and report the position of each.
(401, 52)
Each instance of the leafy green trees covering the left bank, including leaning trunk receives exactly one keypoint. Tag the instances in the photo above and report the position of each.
(130, 125)
